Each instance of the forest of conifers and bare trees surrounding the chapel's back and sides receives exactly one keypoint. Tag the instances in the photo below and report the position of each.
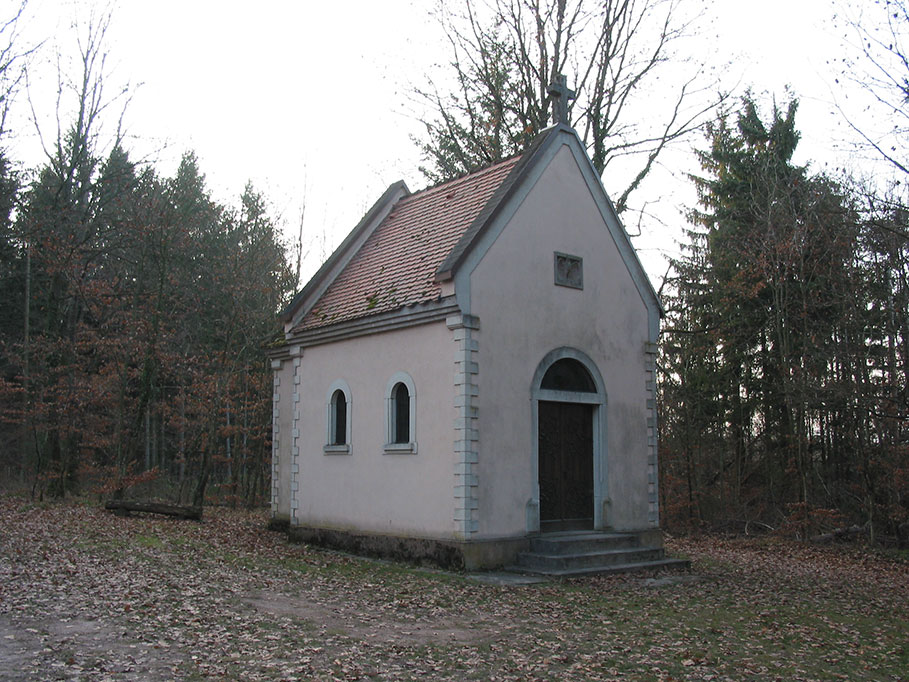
(134, 306)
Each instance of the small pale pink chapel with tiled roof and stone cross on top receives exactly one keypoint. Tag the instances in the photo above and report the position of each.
(469, 378)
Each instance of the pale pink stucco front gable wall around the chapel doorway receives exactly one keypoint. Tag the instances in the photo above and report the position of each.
(523, 316)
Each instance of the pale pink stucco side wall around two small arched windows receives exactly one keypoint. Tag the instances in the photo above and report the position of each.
(369, 490)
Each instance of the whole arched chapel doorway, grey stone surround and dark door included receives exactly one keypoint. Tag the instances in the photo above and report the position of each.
(569, 423)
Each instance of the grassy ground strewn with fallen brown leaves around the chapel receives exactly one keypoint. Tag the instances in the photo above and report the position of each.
(86, 595)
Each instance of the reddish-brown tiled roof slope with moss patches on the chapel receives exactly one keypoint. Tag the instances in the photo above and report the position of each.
(396, 266)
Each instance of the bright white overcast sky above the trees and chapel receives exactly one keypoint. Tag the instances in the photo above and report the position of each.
(309, 99)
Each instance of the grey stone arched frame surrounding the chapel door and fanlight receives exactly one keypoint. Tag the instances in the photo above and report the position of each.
(597, 399)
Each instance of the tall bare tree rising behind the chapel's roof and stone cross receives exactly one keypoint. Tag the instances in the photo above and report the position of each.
(505, 54)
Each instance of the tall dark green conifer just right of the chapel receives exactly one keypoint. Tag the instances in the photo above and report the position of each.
(764, 290)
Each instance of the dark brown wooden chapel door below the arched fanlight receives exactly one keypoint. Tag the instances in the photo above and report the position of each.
(566, 466)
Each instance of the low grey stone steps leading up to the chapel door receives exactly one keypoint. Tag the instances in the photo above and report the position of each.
(575, 553)
